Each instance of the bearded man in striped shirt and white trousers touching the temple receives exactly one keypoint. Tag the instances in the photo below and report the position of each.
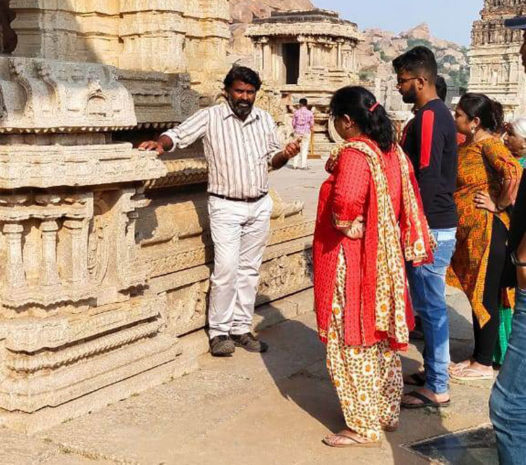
(240, 144)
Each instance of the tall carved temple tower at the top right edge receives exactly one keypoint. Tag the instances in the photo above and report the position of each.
(495, 64)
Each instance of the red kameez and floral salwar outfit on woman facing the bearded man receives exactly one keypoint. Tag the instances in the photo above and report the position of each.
(362, 360)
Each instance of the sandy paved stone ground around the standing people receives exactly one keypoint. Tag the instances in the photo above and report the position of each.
(270, 409)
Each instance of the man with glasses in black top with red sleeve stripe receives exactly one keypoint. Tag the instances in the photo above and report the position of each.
(430, 143)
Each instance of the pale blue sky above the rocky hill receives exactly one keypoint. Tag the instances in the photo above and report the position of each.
(448, 19)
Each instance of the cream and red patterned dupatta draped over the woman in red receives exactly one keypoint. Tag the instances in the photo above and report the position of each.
(386, 315)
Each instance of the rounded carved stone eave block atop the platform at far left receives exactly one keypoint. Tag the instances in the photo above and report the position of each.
(56, 95)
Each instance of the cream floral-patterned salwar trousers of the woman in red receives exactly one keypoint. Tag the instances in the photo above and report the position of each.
(368, 380)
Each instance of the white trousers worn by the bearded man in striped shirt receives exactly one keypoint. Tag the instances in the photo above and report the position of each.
(239, 231)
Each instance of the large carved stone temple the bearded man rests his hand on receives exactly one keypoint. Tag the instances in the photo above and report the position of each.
(105, 250)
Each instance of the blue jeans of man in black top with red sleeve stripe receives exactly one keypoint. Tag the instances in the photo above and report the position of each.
(428, 294)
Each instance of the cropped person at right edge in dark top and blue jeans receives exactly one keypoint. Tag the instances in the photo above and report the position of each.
(508, 398)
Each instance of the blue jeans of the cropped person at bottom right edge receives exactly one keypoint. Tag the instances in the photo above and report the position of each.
(508, 399)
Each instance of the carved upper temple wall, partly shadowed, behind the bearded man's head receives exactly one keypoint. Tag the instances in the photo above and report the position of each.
(167, 36)
